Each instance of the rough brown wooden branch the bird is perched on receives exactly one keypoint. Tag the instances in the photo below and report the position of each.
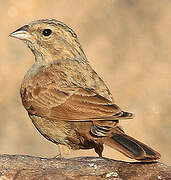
(23, 167)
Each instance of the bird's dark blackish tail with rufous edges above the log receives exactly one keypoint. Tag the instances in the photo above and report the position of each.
(132, 148)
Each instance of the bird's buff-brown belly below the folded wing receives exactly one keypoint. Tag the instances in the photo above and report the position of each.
(75, 135)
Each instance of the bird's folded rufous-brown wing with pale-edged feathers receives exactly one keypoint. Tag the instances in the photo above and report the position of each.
(53, 95)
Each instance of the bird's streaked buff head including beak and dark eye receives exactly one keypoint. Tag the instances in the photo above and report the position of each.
(50, 40)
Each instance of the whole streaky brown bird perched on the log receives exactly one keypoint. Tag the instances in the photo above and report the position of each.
(67, 101)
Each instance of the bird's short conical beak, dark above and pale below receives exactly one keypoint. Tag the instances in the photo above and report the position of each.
(21, 33)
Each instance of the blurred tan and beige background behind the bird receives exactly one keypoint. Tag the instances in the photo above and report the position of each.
(128, 44)
